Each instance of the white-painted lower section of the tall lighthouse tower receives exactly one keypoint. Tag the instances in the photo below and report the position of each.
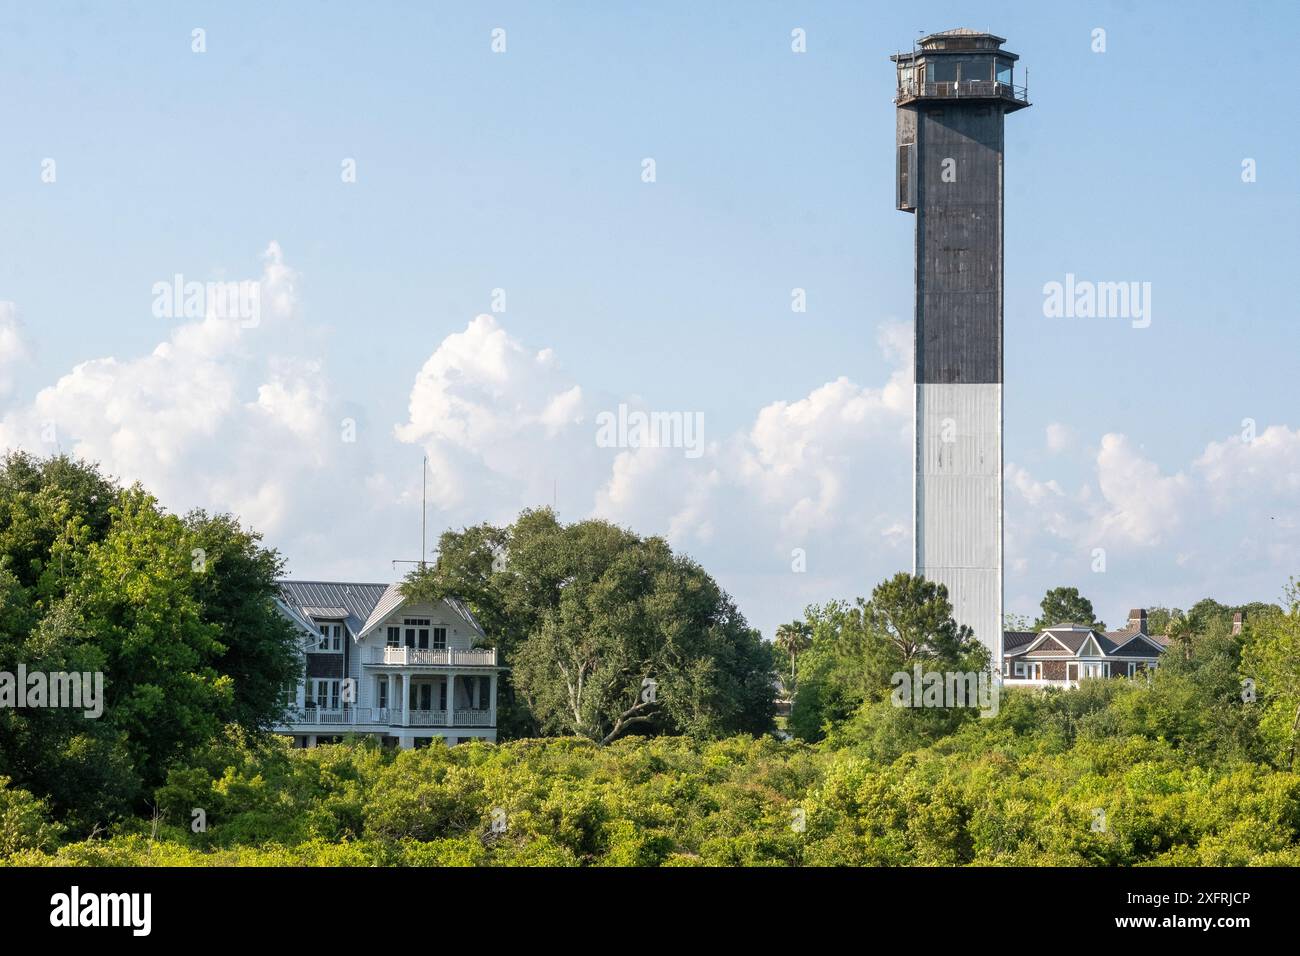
(959, 503)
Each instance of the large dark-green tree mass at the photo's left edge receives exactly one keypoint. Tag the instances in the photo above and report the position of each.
(176, 613)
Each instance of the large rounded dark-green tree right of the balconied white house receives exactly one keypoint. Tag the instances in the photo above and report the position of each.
(606, 633)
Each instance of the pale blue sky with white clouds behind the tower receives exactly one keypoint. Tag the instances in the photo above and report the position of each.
(522, 171)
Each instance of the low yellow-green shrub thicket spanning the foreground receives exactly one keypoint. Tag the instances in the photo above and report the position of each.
(1025, 788)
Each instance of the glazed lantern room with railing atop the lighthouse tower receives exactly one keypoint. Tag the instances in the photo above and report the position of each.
(960, 66)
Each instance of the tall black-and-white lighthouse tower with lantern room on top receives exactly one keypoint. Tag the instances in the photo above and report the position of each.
(954, 92)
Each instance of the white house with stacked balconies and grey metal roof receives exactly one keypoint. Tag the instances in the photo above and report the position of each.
(382, 665)
